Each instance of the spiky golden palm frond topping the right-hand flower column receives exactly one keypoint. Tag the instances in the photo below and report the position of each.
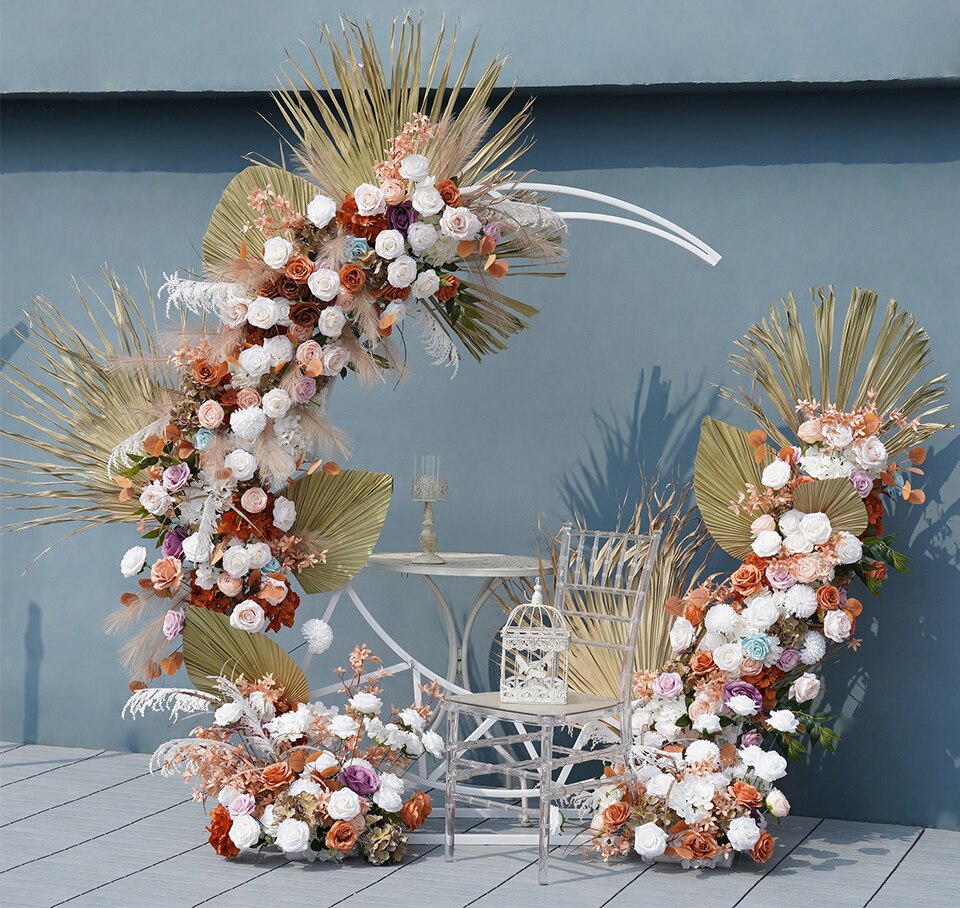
(774, 354)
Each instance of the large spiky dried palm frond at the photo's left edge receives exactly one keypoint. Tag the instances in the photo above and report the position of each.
(78, 405)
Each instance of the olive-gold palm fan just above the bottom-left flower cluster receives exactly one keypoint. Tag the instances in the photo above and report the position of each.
(211, 648)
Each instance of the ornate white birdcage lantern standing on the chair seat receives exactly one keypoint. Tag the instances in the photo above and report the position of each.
(536, 644)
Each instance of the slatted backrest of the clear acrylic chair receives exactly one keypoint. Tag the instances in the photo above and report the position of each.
(601, 585)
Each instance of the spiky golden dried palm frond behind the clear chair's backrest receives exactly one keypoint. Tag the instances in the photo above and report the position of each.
(681, 558)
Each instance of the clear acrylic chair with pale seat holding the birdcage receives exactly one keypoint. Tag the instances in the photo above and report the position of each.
(600, 577)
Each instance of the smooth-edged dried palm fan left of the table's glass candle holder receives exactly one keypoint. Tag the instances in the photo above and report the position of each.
(344, 514)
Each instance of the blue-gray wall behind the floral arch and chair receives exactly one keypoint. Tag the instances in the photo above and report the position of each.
(792, 187)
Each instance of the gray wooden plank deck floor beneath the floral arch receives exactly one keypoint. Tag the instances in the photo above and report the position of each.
(93, 828)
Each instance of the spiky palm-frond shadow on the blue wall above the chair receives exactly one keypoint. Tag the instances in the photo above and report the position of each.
(656, 435)
